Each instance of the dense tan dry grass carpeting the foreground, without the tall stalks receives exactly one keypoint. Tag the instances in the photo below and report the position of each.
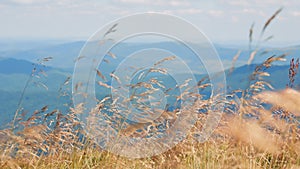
(268, 141)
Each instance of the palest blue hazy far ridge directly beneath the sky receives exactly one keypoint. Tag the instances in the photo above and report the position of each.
(65, 54)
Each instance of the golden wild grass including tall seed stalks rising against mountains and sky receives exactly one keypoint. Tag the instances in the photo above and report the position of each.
(259, 129)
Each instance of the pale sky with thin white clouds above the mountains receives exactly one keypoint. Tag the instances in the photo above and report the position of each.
(221, 21)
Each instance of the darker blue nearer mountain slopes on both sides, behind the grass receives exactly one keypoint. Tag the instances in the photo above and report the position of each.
(36, 96)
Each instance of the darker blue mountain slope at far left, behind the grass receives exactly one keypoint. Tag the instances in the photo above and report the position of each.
(42, 88)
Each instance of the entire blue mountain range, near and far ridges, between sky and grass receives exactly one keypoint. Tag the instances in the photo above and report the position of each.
(46, 88)
